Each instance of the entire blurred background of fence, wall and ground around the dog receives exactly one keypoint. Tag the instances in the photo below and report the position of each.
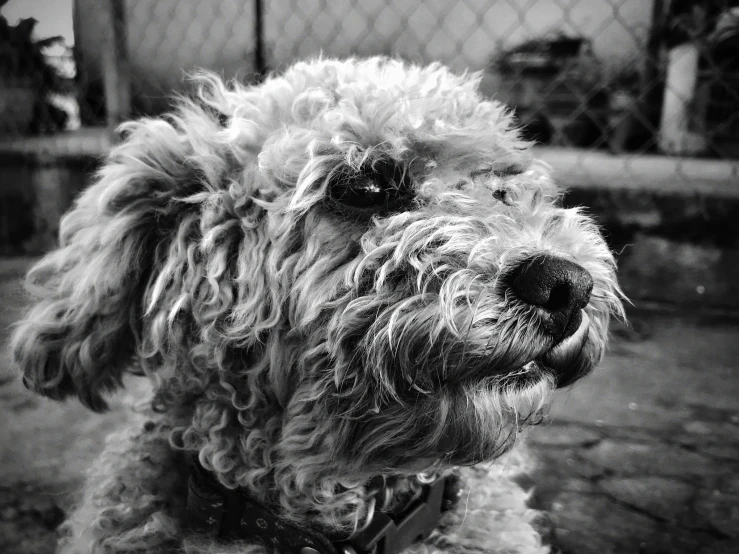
(634, 103)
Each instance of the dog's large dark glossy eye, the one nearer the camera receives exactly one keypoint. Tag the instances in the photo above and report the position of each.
(382, 187)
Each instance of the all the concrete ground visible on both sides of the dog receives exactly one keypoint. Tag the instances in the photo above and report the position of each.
(640, 457)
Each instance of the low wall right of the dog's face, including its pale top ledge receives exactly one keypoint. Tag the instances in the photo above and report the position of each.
(673, 222)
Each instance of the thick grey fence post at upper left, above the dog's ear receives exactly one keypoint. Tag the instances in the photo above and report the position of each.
(116, 72)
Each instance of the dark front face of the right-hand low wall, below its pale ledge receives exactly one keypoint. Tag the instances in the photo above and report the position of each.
(673, 249)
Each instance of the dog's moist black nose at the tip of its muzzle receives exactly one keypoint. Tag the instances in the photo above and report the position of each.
(559, 287)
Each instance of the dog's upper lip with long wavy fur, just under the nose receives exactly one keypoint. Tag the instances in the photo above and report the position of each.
(410, 350)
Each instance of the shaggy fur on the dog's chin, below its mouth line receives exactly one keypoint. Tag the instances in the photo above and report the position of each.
(458, 425)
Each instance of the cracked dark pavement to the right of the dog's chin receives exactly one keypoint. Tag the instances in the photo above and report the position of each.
(643, 455)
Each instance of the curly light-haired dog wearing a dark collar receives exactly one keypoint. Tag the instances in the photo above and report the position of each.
(347, 283)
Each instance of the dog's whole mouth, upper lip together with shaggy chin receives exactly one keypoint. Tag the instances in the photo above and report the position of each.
(463, 399)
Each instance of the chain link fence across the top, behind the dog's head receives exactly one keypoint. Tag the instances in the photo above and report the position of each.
(634, 78)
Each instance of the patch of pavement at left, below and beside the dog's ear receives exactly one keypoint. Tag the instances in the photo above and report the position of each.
(44, 445)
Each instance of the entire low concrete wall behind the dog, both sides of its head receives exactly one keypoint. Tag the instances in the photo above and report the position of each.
(677, 241)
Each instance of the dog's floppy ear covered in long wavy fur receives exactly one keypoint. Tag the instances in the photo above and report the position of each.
(81, 333)
